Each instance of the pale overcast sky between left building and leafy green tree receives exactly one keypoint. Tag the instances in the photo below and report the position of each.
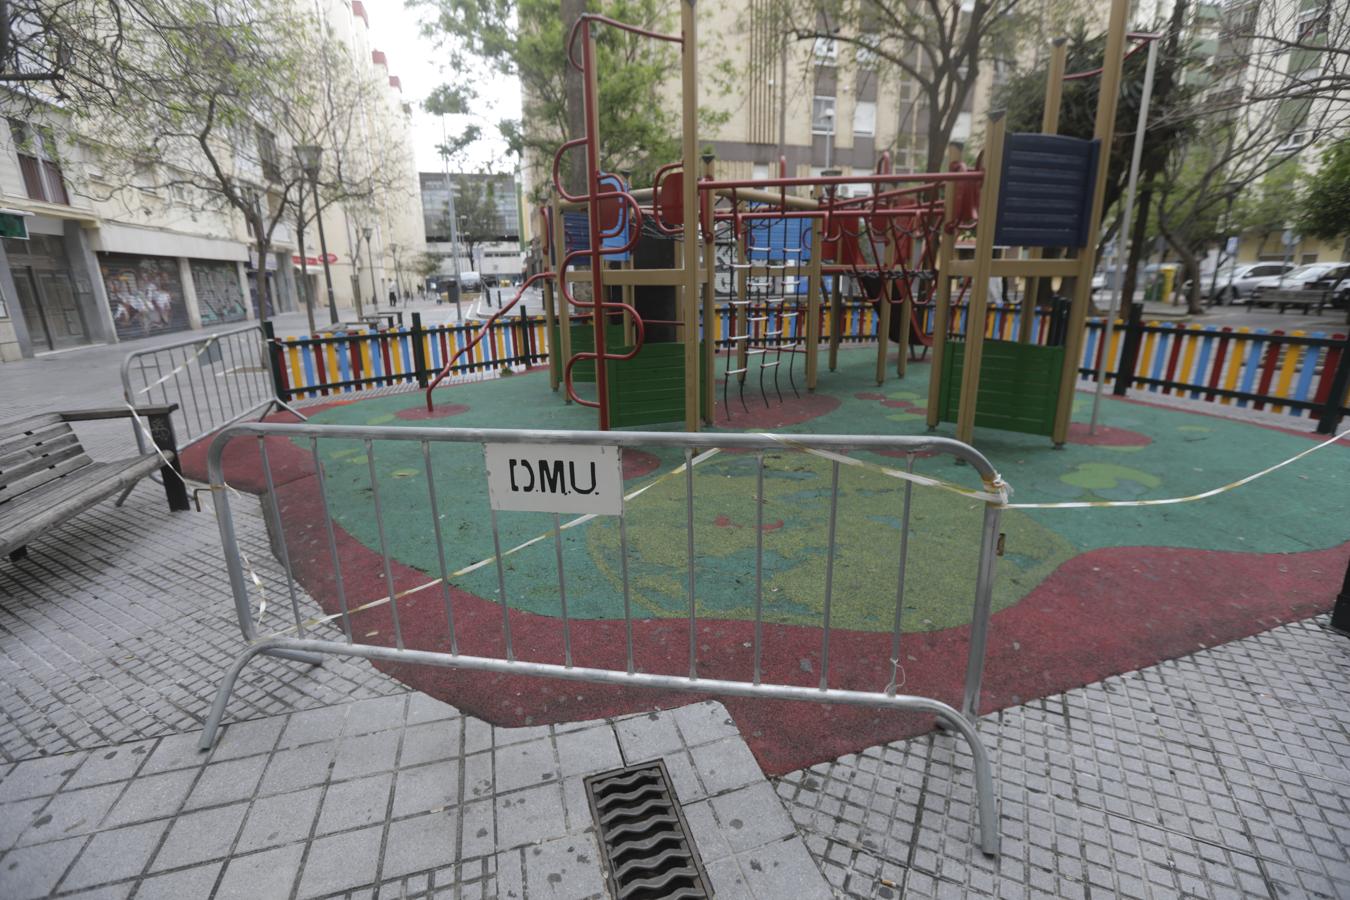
(412, 57)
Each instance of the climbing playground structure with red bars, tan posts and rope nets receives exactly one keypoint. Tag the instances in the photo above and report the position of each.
(902, 245)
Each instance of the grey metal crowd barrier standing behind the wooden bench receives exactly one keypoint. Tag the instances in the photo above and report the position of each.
(215, 380)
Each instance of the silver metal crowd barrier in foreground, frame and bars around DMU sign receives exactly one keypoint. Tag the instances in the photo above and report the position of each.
(507, 492)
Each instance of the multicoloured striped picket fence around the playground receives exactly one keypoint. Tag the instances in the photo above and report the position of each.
(1267, 370)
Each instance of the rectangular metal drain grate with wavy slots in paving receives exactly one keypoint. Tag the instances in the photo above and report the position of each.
(643, 836)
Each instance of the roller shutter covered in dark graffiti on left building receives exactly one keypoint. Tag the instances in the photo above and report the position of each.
(145, 295)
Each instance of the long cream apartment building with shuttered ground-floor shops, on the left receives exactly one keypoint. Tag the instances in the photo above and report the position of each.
(87, 262)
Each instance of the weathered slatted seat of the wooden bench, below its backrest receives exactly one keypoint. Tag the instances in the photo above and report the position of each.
(36, 512)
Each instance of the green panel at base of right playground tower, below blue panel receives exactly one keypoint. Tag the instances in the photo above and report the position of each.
(1020, 387)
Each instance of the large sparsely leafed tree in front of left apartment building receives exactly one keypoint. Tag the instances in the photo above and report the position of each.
(205, 101)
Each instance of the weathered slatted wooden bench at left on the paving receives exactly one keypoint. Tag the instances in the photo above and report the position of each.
(47, 477)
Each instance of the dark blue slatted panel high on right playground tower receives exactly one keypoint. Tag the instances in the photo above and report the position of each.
(1046, 194)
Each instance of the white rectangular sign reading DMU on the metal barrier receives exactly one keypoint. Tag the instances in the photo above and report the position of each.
(556, 478)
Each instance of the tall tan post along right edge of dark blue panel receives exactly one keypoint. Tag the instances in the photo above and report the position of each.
(1113, 63)
